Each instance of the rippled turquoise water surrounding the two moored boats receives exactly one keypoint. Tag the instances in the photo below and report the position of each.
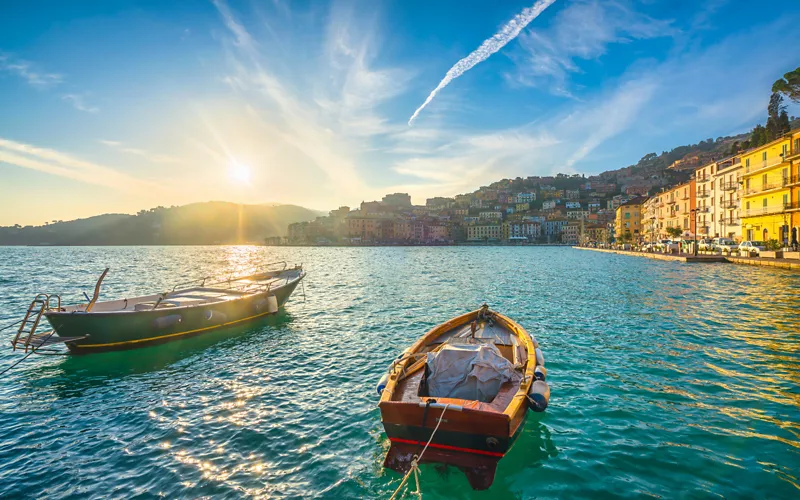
(667, 379)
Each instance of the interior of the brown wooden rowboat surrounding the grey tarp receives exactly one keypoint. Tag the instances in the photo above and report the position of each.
(411, 385)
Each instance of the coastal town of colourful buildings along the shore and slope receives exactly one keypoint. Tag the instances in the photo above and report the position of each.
(752, 195)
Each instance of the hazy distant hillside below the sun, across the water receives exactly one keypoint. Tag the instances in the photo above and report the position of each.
(208, 223)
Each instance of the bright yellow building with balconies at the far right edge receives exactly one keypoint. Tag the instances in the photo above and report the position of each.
(769, 179)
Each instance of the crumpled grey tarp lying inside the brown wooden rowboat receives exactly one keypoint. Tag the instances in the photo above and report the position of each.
(467, 371)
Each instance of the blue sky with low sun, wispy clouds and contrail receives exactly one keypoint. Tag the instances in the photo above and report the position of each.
(113, 106)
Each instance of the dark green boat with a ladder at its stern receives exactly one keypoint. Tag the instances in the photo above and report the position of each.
(128, 323)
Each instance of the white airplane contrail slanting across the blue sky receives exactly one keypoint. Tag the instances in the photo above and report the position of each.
(487, 48)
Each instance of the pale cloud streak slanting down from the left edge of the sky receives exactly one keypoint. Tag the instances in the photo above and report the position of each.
(64, 165)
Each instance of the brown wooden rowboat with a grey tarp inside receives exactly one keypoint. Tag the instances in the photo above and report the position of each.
(463, 389)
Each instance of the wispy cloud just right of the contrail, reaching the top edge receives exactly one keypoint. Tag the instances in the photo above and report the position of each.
(581, 31)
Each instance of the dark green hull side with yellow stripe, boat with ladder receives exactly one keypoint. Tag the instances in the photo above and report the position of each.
(131, 330)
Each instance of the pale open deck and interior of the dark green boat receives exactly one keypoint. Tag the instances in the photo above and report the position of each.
(218, 291)
